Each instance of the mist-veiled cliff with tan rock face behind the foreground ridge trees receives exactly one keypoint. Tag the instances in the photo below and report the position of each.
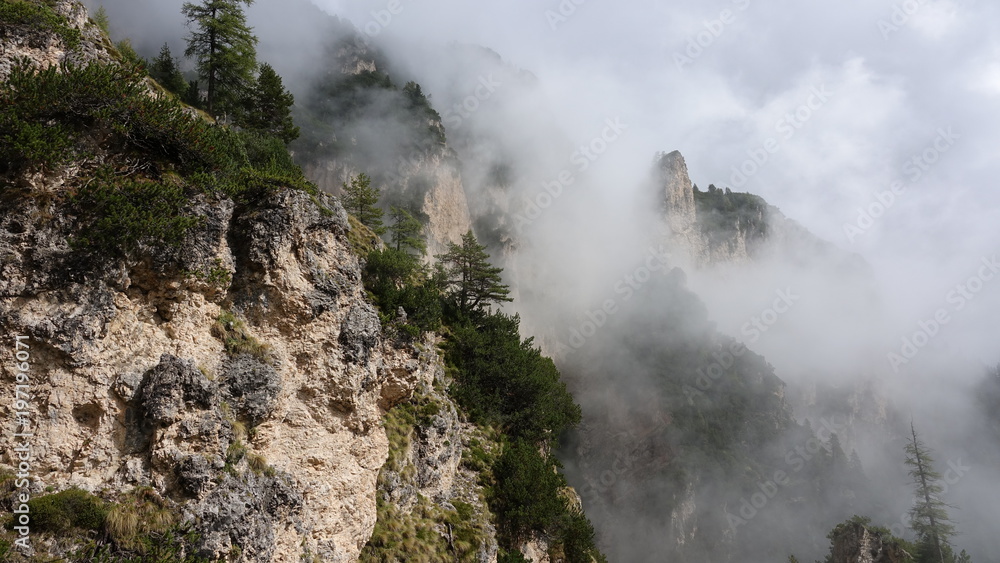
(408, 159)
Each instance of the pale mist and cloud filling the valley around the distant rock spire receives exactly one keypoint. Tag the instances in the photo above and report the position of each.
(872, 125)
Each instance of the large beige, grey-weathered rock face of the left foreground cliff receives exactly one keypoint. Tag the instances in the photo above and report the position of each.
(254, 402)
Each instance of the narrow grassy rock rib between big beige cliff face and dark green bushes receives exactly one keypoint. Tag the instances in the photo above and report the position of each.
(431, 486)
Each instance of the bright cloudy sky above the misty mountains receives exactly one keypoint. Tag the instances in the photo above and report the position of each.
(818, 107)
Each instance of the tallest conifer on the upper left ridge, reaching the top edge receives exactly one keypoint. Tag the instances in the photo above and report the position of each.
(226, 51)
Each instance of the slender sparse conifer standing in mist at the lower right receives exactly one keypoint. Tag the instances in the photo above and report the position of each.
(929, 515)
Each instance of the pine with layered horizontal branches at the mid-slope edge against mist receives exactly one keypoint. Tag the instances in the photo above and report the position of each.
(472, 280)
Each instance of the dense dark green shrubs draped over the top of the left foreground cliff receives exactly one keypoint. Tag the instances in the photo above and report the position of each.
(54, 116)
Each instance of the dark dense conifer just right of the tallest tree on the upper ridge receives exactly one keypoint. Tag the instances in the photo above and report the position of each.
(268, 107)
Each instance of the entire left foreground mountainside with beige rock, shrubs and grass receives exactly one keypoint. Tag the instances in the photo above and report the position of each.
(204, 377)
